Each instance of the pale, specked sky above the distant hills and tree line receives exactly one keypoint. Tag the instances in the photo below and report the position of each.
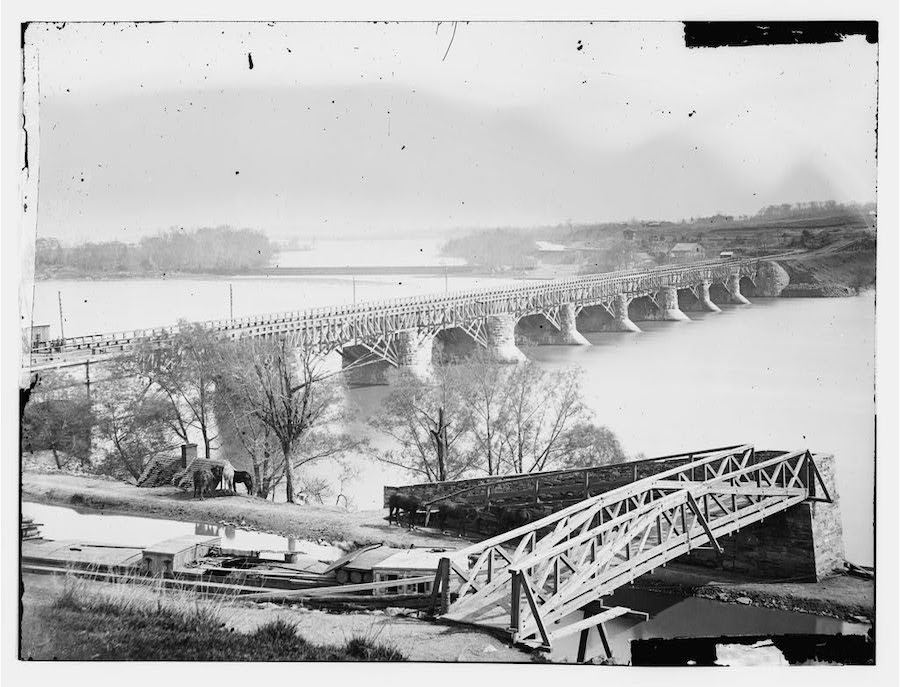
(393, 130)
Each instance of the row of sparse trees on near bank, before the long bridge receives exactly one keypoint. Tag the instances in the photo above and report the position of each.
(279, 410)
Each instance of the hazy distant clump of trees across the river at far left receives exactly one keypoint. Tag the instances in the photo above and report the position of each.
(210, 249)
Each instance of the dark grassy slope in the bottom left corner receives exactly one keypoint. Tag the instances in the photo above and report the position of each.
(135, 623)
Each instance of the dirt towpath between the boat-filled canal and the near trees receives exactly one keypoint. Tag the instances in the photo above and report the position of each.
(303, 521)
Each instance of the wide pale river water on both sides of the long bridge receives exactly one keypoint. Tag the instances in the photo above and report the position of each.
(780, 373)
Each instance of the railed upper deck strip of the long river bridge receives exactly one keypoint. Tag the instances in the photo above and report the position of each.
(491, 301)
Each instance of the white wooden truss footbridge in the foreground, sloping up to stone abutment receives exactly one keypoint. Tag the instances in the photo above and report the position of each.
(537, 581)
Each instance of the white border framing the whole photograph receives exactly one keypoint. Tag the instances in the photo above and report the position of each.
(886, 11)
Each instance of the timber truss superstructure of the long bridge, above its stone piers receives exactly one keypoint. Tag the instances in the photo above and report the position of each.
(375, 326)
